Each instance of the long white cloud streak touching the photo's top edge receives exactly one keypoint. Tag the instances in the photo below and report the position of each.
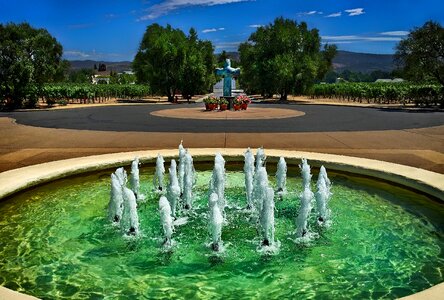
(167, 6)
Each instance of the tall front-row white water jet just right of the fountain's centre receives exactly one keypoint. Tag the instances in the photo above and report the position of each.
(266, 218)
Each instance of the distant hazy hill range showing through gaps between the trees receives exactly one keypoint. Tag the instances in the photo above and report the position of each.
(344, 60)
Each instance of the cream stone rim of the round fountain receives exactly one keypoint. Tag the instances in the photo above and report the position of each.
(428, 182)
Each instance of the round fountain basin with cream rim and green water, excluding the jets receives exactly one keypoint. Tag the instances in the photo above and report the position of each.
(385, 240)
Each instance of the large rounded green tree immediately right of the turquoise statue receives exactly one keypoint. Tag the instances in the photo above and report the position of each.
(283, 57)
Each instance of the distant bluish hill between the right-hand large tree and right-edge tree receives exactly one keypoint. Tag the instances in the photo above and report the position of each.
(363, 62)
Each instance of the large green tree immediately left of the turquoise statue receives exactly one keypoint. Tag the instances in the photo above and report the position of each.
(170, 61)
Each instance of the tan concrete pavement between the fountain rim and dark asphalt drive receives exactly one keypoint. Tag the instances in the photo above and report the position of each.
(22, 145)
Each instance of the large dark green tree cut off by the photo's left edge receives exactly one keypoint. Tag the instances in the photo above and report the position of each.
(29, 57)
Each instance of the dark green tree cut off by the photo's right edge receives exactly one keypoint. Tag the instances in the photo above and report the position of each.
(421, 54)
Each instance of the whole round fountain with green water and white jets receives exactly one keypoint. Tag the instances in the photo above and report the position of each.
(391, 233)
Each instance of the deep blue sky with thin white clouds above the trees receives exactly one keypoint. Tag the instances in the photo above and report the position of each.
(111, 30)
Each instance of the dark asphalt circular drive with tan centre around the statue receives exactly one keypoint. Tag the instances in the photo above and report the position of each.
(316, 118)
